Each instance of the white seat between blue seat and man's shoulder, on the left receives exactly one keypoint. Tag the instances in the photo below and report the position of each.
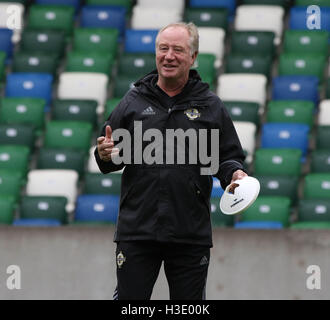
(83, 85)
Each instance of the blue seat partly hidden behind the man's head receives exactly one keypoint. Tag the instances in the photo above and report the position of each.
(140, 41)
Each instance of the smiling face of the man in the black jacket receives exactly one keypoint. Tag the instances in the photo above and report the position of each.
(173, 55)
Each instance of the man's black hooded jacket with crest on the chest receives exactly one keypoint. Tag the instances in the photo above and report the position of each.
(171, 202)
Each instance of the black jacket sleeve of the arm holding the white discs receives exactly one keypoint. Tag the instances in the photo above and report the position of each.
(231, 155)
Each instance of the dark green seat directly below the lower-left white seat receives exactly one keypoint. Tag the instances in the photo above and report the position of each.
(44, 207)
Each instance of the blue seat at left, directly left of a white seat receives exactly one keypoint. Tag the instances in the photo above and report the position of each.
(34, 85)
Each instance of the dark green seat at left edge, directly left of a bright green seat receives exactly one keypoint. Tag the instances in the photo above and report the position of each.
(17, 134)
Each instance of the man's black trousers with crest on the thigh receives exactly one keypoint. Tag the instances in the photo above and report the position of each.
(139, 262)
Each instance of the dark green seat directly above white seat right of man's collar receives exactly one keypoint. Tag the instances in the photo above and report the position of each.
(243, 63)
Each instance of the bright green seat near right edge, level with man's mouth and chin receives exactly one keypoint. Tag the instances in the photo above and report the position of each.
(302, 64)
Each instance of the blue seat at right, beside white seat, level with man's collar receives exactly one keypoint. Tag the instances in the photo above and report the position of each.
(296, 88)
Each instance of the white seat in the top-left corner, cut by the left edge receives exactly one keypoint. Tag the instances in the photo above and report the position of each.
(12, 17)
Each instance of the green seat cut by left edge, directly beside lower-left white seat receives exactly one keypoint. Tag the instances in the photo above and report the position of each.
(11, 183)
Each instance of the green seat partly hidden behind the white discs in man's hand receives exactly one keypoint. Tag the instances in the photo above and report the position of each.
(267, 208)
